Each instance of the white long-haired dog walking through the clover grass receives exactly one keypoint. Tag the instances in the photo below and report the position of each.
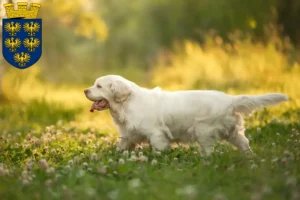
(188, 116)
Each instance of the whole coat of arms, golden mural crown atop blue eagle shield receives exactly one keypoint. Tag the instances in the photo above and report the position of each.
(22, 35)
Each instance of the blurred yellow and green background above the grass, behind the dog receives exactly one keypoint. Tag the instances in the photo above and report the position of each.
(234, 46)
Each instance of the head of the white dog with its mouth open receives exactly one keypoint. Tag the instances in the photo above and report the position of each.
(111, 89)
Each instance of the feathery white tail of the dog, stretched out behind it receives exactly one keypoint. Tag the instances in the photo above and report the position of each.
(246, 104)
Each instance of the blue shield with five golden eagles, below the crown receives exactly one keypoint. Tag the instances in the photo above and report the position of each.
(22, 41)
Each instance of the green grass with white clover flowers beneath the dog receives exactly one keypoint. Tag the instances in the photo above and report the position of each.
(52, 157)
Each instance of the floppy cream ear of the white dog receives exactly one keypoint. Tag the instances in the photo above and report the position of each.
(120, 90)
